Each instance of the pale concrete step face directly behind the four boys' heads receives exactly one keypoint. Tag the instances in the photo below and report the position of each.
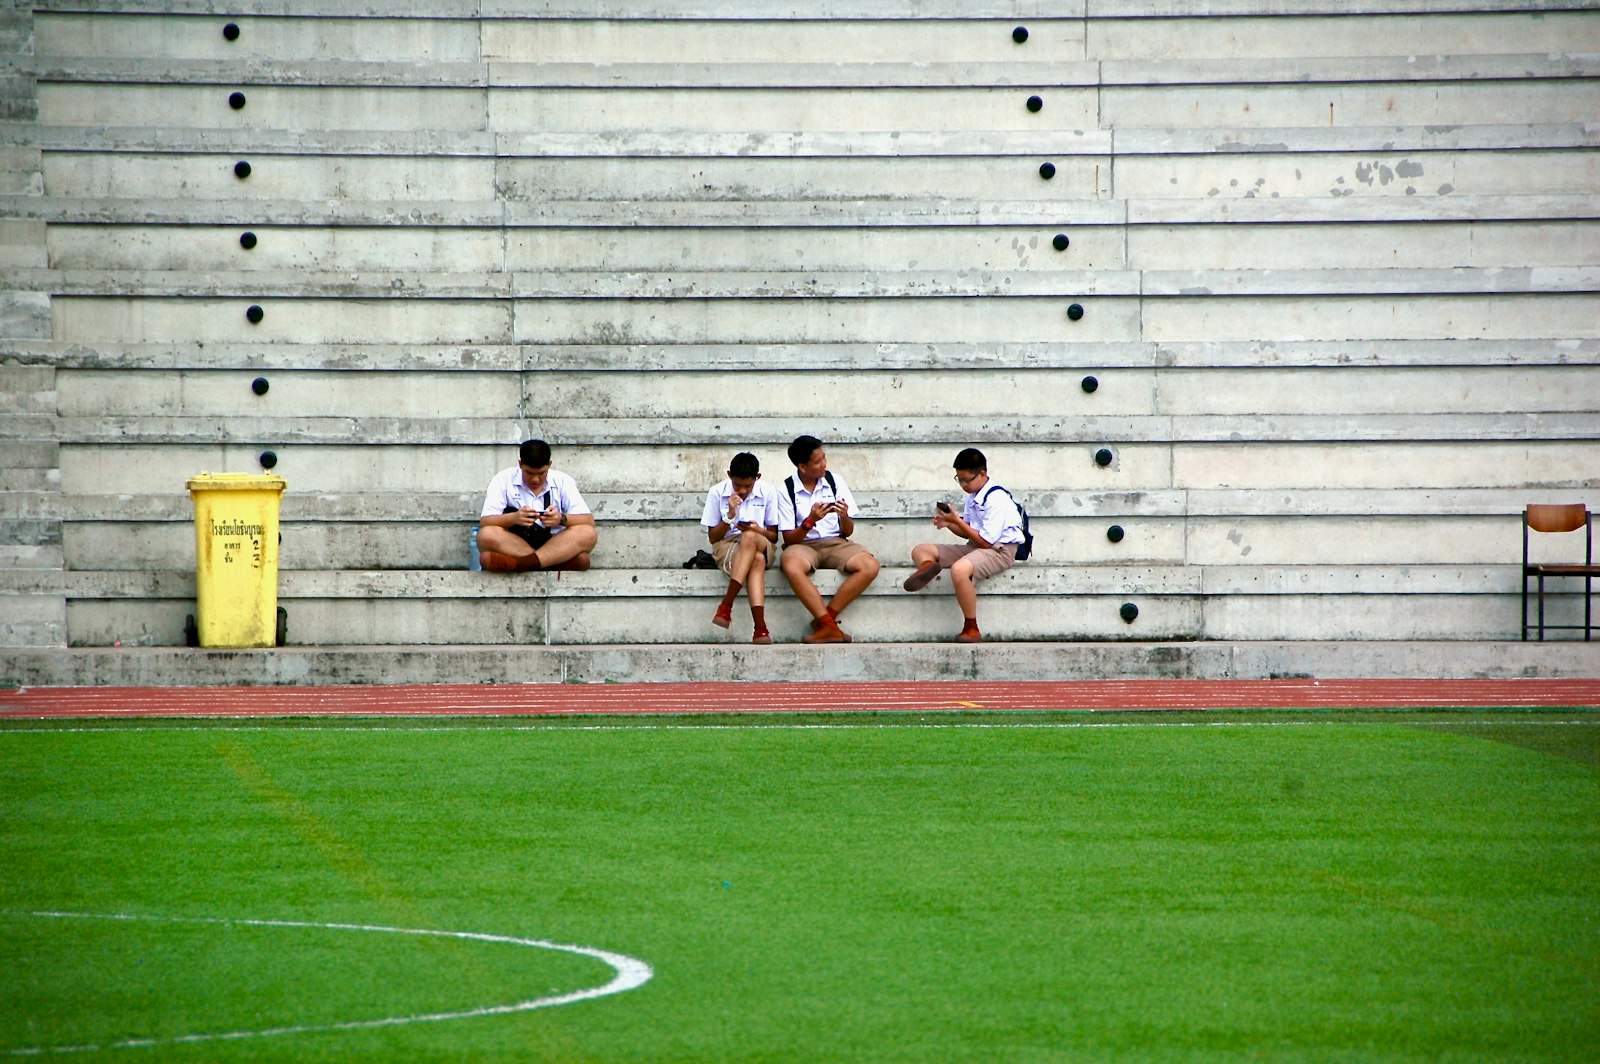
(1287, 466)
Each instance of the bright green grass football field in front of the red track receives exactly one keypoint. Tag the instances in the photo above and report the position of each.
(1031, 887)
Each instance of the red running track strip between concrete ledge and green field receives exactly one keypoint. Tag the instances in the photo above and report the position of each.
(542, 700)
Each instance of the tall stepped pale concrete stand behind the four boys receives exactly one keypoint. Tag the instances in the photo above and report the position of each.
(1337, 262)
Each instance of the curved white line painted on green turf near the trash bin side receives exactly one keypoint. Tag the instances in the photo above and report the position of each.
(631, 974)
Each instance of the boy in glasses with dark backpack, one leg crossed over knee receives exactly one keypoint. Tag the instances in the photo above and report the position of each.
(991, 527)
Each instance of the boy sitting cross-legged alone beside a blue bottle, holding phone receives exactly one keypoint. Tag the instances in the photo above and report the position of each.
(534, 518)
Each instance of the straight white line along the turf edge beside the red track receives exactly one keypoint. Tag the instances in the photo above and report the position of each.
(42, 727)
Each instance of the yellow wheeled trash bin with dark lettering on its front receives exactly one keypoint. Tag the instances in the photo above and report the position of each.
(238, 558)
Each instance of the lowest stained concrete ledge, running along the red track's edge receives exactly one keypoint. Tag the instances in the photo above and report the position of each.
(156, 666)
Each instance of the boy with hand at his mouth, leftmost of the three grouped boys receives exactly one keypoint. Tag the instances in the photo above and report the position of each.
(742, 522)
